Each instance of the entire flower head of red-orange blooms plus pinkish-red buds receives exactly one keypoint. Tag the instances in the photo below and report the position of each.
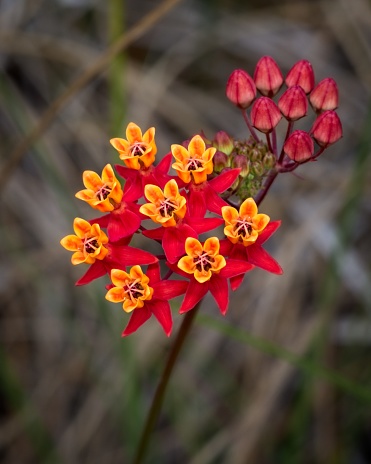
(210, 194)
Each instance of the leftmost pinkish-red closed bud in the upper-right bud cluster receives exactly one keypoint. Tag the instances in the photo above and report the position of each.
(241, 89)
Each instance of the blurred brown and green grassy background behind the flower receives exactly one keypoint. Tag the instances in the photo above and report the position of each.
(72, 390)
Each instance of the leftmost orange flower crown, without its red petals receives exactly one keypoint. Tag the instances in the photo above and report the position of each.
(87, 244)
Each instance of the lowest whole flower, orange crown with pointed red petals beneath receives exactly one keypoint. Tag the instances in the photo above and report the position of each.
(143, 295)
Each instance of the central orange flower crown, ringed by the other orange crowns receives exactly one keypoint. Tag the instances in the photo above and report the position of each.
(165, 207)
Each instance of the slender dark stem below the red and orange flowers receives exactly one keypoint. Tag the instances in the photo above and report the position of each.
(164, 381)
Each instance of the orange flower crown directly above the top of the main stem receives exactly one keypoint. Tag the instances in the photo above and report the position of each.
(202, 260)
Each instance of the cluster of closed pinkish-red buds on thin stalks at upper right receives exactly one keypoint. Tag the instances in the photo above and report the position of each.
(265, 112)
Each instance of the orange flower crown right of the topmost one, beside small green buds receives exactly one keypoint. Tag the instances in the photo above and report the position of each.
(195, 163)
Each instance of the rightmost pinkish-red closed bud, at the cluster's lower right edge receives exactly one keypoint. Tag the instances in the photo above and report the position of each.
(327, 128)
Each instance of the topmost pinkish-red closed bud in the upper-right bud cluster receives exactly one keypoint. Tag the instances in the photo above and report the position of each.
(267, 76)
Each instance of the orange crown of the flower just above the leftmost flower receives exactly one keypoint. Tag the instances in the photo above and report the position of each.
(101, 193)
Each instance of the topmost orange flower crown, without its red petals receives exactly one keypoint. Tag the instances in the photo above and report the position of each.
(136, 150)
